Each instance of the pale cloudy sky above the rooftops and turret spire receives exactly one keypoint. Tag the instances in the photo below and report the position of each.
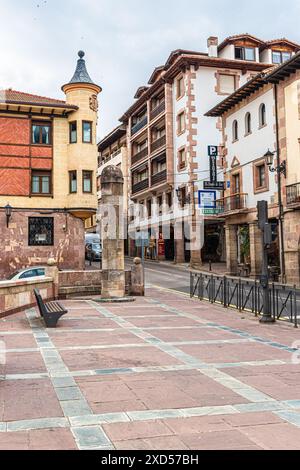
(123, 40)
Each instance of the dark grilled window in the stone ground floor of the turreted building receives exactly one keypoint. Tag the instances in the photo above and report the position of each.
(40, 231)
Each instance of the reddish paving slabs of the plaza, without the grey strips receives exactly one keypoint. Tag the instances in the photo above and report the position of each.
(34, 399)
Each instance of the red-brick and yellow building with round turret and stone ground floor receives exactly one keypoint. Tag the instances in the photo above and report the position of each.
(48, 165)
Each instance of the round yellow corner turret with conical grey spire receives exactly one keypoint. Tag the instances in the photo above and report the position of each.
(82, 154)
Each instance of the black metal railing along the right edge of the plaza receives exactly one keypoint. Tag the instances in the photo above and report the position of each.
(246, 295)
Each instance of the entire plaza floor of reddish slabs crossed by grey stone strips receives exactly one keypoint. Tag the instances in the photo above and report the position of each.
(164, 372)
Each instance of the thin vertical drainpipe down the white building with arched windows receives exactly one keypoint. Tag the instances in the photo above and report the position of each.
(279, 184)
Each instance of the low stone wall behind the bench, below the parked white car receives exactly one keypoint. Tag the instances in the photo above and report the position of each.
(16, 296)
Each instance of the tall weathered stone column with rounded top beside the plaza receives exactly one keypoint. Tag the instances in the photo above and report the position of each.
(113, 262)
